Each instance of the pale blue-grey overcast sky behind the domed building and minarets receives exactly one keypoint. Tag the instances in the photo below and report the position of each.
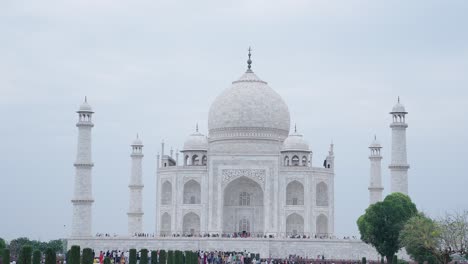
(154, 68)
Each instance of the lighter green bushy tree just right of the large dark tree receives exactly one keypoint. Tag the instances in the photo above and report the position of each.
(420, 237)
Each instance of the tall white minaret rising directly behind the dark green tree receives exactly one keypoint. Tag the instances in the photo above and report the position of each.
(399, 166)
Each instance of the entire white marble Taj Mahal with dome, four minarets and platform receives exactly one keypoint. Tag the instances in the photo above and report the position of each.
(252, 183)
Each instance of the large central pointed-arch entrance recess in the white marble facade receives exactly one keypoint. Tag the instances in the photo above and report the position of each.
(243, 207)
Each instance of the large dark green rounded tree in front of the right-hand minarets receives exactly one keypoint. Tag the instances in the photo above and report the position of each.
(382, 222)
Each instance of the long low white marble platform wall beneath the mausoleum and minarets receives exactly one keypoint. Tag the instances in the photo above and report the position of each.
(278, 248)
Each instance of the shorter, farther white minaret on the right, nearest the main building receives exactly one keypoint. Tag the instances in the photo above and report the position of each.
(375, 183)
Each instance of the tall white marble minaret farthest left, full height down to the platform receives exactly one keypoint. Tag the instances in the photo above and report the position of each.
(83, 197)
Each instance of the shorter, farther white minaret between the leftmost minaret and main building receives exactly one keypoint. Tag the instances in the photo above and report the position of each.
(135, 211)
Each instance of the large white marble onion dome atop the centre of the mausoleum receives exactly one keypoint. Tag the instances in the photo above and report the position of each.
(249, 108)
